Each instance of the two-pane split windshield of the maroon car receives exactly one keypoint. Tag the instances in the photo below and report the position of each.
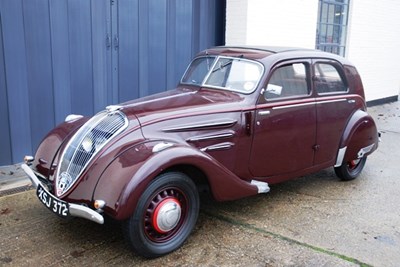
(235, 74)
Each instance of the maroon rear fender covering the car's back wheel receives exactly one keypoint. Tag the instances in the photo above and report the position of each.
(360, 137)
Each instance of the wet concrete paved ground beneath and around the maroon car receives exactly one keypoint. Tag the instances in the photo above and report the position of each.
(312, 221)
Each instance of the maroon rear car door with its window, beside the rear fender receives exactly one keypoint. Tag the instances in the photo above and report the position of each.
(334, 107)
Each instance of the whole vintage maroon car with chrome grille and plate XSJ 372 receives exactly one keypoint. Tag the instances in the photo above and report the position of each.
(240, 119)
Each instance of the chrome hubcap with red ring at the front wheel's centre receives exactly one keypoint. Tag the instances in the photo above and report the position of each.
(167, 215)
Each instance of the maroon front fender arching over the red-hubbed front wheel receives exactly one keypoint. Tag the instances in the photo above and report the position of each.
(125, 179)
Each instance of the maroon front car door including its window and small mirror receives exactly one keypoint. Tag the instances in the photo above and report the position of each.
(285, 122)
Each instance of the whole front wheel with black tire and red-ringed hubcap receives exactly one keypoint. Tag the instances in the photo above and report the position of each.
(152, 233)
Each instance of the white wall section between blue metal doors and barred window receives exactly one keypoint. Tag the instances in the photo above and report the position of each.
(272, 22)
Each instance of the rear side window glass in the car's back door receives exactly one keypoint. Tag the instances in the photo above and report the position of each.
(327, 79)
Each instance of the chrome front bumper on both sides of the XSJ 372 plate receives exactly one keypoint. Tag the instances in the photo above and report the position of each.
(75, 210)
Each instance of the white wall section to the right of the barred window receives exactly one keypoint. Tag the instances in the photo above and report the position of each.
(373, 45)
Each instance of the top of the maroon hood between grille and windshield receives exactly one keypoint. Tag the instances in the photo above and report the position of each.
(183, 102)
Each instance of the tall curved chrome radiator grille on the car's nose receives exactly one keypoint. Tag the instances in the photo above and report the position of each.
(85, 144)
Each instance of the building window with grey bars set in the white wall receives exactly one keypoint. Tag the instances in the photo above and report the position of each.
(332, 26)
